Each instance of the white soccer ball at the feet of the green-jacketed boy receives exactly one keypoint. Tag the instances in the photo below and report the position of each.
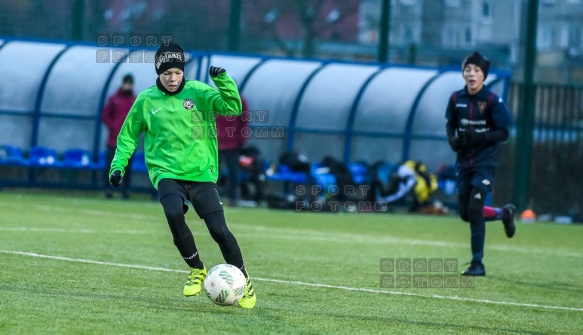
(225, 284)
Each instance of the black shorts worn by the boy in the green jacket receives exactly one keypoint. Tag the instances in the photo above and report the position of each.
(204, 196)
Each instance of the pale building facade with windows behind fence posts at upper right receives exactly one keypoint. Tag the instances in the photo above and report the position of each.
(441, 32)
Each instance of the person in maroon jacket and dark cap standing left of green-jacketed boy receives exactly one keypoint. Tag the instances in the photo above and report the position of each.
(113, 115)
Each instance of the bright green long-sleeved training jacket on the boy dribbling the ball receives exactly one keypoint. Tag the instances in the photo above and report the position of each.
(180, 139)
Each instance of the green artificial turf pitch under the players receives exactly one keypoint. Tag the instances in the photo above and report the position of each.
(80, 264)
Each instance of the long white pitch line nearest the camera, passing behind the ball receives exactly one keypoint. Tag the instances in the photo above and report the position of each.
(299, 283)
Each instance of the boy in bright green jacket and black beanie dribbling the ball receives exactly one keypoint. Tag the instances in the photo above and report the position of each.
(177, 117)
